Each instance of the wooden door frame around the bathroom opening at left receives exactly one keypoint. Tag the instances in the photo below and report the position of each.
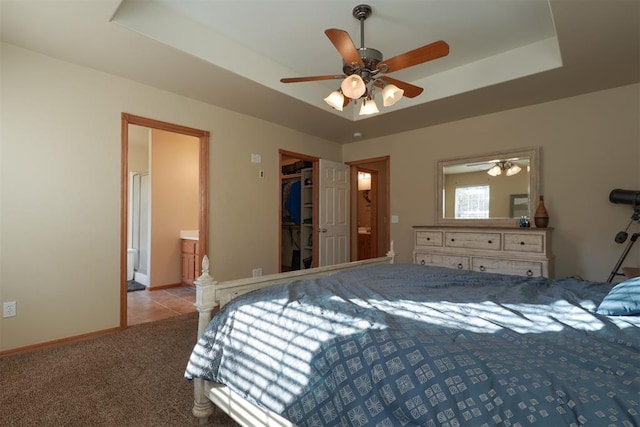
(203, 184)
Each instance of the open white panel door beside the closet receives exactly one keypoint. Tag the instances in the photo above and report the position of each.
(333, 210)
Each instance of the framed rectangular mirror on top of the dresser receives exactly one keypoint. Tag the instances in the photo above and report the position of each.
(468, 195)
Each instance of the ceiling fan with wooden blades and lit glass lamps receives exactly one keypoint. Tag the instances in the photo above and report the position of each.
(364, 69)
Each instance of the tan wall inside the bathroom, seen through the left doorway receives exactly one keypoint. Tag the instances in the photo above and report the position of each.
(174, 202)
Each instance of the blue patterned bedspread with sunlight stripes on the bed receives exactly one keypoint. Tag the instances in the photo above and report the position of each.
(394, 345)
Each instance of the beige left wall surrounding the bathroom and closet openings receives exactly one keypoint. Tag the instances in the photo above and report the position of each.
(60, 191)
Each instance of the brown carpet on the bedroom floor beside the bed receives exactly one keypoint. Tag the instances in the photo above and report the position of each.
(128, 378)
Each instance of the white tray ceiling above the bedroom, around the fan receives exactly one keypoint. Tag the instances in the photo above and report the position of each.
(503, 53)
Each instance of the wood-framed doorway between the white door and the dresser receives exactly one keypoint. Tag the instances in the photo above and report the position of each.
(370, 230)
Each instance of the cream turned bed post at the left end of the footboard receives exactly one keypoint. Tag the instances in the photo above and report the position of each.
(205, 302)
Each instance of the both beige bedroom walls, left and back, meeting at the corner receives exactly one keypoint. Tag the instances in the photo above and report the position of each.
(60, 186)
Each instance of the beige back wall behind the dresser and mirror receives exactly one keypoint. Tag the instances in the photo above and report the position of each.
(590, 145)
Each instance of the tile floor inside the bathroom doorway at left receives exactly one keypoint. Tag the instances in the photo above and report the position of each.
(148, 306)
